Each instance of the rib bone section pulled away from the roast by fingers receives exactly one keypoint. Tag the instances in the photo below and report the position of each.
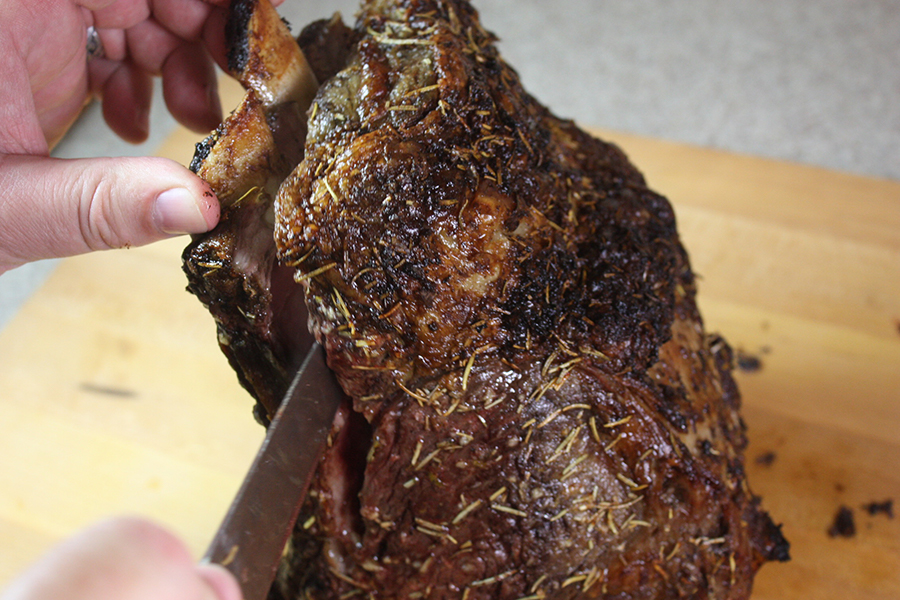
(232, 270)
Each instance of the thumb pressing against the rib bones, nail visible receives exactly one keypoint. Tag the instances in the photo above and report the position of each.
(53, 207)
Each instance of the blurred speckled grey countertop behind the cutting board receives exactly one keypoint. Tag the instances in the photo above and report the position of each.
(815, 82)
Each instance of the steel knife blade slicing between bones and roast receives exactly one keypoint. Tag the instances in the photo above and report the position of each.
(251, 539)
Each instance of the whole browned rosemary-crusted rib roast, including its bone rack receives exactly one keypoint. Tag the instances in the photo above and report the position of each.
(534, 408)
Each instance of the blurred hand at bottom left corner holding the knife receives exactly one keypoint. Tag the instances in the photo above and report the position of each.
(122, 559)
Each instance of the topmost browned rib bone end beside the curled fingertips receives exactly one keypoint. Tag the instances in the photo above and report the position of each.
(265, 57)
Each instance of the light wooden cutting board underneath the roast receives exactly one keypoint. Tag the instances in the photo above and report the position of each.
(115, 398)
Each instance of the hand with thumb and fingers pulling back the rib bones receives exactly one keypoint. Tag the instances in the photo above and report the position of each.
(51, 207)
